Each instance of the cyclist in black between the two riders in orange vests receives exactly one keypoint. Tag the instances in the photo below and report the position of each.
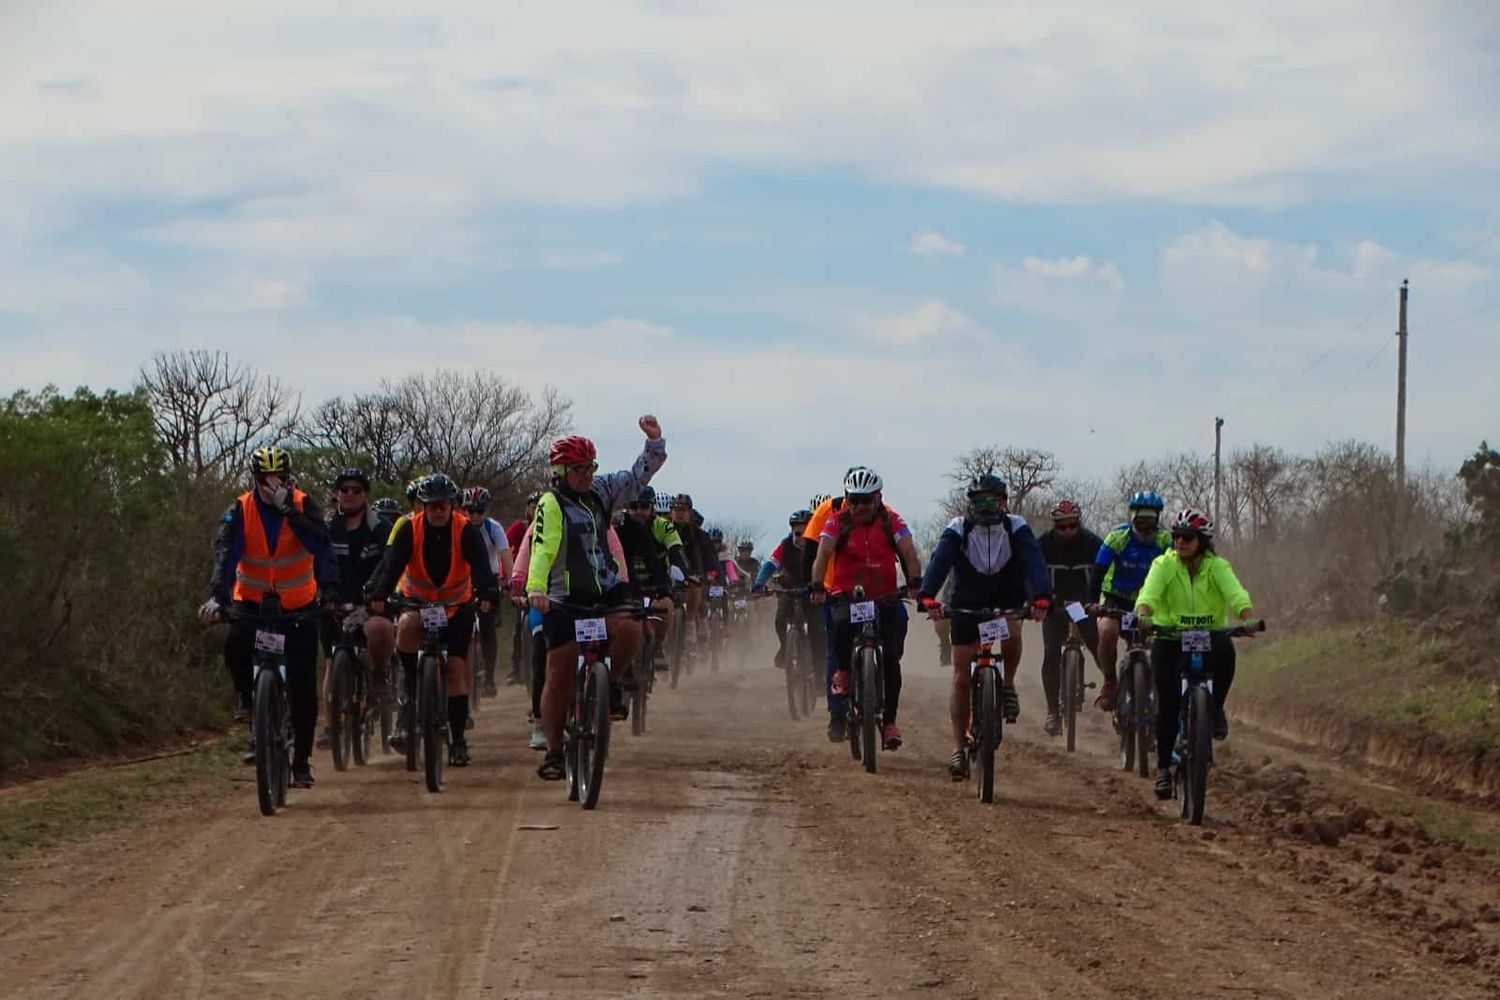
(358, 536)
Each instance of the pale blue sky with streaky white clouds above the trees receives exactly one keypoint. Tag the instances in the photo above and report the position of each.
(868, 233)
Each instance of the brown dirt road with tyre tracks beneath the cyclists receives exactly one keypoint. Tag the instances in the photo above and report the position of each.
(737, 854)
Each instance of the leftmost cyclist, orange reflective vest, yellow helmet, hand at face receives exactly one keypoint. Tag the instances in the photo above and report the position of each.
(272, 540)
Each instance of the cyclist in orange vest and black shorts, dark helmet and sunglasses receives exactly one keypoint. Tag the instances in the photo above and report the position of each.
(439, 557)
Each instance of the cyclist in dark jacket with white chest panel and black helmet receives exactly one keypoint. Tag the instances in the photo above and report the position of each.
(997, 563)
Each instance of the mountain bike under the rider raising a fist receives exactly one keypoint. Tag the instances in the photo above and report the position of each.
(586, 732)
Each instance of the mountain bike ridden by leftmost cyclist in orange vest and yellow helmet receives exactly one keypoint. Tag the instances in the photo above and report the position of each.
(271, 713)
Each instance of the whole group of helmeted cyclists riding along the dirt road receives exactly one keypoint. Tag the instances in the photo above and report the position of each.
(614, 542)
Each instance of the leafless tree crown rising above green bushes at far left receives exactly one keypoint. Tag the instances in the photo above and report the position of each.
(212, 412)
